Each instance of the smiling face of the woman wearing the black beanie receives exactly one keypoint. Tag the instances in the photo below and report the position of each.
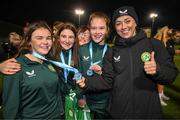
(125, 26)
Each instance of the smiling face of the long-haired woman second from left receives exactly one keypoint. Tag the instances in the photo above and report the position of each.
(66, 39)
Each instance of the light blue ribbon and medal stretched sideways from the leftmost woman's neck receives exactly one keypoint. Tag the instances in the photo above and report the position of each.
(77, 75)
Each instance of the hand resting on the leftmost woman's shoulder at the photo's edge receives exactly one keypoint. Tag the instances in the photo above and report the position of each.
(10, 67)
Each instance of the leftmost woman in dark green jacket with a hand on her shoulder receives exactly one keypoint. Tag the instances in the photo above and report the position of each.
(34, 91)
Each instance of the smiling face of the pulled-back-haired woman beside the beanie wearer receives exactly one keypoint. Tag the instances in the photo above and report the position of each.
(98, 30)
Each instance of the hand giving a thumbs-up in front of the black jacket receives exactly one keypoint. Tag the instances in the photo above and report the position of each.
(150, 67)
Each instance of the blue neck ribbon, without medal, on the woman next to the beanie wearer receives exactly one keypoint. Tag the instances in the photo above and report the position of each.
(91, 53)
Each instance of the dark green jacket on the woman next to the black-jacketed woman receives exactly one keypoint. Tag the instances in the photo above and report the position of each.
(96, 101)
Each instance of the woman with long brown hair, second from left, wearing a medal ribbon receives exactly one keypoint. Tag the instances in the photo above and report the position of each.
(67, 48)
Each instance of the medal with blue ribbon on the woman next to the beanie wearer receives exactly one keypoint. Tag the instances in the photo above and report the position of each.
(90, 71)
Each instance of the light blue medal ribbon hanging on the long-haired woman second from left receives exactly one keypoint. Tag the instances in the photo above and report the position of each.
(69, 63)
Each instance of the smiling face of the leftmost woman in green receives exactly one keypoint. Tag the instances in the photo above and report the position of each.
(41, 41)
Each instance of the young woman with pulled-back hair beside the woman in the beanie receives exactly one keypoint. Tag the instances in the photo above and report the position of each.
(90, 61)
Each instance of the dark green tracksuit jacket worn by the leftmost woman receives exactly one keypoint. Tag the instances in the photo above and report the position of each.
(32, 93)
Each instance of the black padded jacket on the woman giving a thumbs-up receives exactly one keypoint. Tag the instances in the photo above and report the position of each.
(133, 92)
